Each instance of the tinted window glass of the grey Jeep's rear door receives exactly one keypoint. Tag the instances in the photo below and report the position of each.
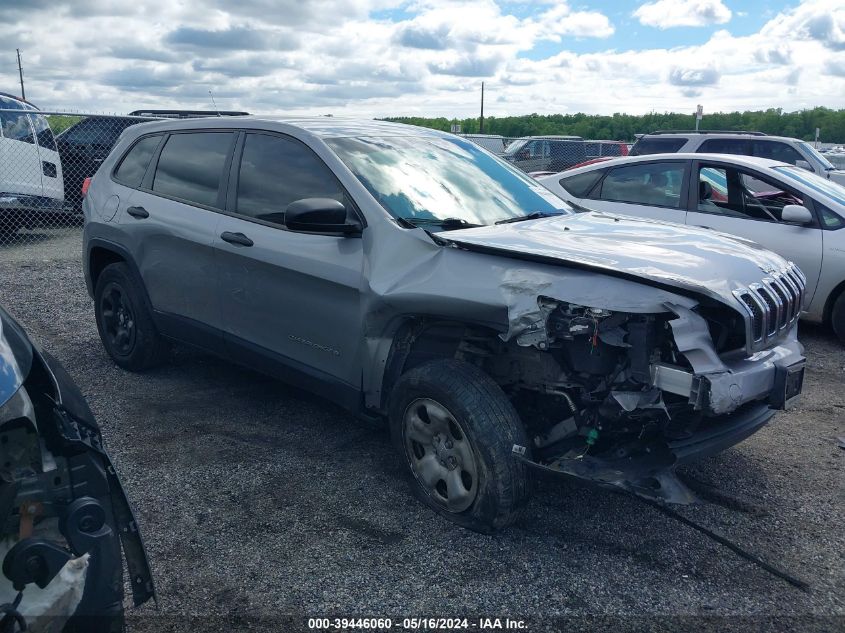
(191, 166)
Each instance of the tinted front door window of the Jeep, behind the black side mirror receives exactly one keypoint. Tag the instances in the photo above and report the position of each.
(276, 171)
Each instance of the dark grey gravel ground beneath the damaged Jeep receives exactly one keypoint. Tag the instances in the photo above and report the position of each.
(258, 500)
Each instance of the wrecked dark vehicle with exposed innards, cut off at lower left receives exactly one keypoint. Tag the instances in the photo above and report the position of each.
(66, 522)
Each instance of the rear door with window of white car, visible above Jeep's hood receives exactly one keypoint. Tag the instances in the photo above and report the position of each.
(655, 190)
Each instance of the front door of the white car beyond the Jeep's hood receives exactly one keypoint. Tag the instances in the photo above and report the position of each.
(747, 203)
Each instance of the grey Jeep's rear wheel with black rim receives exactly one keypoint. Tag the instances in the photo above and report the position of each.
(124, 321)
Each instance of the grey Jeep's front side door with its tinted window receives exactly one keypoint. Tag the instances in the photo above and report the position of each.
(289, 299)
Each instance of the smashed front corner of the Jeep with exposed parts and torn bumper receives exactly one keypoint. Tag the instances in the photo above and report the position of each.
(621, 391)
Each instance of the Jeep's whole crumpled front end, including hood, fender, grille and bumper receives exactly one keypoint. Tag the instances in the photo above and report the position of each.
(627, 347)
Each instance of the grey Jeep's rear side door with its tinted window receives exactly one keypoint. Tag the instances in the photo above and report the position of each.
(170, 224)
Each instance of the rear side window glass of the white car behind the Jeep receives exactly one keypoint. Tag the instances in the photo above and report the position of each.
(654, 184)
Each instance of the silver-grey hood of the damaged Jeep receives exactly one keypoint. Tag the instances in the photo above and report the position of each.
(692, 259)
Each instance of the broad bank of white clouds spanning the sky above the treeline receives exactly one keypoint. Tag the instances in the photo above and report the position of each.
(428, 58)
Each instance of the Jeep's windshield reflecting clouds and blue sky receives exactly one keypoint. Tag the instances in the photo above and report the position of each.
(430, 178)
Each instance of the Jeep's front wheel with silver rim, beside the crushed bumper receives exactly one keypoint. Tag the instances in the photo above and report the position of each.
(455, 429)
